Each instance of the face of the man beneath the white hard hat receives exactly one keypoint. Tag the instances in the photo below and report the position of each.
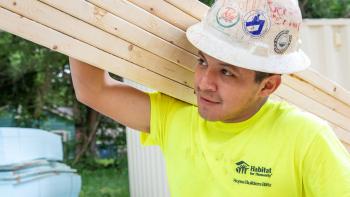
(225, 92)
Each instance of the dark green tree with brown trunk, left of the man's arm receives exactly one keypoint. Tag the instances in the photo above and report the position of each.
(35, 80)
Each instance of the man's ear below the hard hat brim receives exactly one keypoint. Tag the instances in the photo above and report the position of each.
(269, 85)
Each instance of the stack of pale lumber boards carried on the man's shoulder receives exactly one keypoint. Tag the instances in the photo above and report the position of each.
(145, 41)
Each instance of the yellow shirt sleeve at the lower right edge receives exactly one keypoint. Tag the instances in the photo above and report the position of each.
(326, 166)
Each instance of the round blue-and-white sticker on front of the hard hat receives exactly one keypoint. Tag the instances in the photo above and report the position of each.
(256, 23)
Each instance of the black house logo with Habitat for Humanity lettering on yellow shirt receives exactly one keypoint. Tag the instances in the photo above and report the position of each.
(244, 168)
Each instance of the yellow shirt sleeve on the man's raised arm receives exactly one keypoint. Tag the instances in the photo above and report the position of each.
(161, 105)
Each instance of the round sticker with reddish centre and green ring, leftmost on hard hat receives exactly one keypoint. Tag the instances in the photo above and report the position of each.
(227, 17)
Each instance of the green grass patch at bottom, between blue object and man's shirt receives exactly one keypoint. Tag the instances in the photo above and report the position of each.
(105, 182)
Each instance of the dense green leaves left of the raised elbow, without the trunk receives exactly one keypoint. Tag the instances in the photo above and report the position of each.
(32, 78)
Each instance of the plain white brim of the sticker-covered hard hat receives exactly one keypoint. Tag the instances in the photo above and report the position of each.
(210, 44)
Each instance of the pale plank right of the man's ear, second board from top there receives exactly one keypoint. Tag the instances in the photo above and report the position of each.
(316, 94)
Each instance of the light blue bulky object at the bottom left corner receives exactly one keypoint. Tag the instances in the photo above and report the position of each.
(30, 165)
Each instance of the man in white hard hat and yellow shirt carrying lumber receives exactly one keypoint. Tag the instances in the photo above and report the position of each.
(237, 142)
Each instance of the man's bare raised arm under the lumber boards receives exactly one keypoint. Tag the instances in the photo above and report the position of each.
(96, 89)
